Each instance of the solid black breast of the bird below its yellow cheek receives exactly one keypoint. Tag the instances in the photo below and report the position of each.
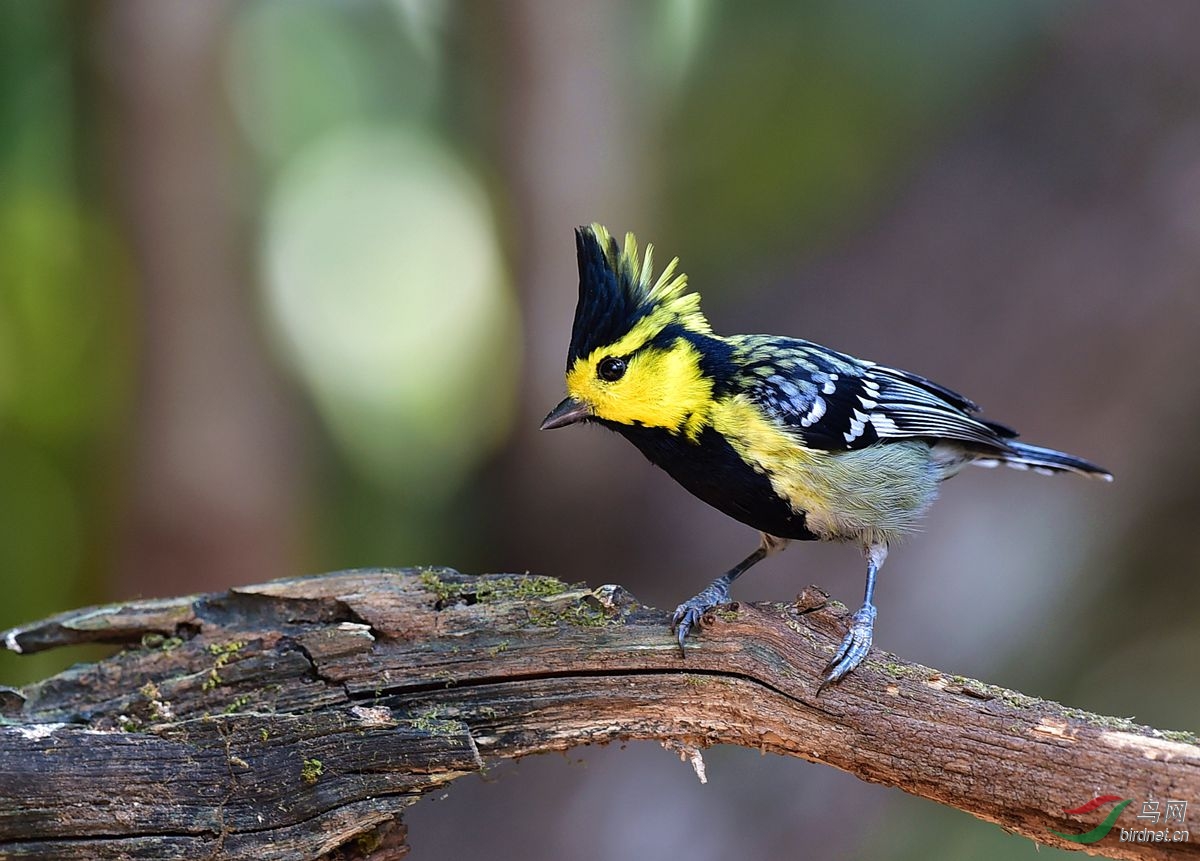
(713, 472)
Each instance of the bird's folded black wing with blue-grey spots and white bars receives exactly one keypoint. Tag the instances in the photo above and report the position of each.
(836, 402)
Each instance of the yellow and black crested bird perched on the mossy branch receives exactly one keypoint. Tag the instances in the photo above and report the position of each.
(791, 438)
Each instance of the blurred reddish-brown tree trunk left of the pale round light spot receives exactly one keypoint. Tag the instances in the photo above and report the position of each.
(212, 461)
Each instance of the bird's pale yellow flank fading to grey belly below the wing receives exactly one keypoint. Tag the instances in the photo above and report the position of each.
(869, 495)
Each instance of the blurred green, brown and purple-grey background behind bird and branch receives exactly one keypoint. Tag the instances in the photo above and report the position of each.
(287, 286)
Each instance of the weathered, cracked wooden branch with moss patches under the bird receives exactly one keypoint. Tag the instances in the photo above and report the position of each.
(298, 719)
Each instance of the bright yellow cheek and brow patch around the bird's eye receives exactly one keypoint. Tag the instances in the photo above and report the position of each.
(662, 388)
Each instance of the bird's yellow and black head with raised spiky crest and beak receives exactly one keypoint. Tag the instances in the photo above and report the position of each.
(637, 356)
